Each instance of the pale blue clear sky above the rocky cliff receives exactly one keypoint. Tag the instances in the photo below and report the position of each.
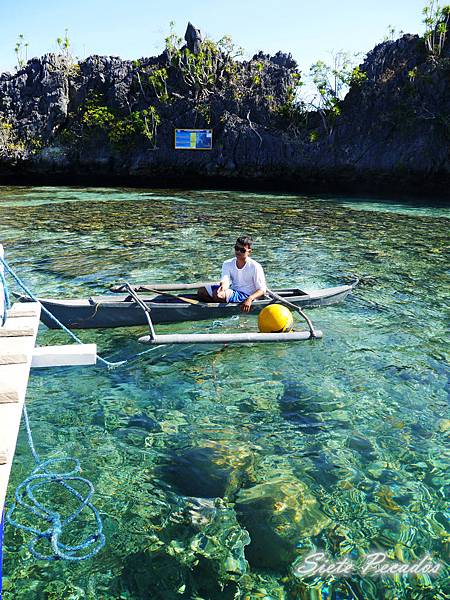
(135, 28)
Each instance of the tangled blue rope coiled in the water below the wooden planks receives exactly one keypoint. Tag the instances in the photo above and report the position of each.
(40, 477)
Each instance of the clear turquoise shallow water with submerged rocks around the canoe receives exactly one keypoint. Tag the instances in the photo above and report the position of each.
(218, 469)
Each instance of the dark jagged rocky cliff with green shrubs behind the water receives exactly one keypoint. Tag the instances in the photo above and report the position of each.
(105, 120)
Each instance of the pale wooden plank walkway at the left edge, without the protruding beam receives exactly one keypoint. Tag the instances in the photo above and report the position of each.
(17, 340)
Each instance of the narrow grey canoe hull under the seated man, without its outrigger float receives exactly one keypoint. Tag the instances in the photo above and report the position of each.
(123, 311)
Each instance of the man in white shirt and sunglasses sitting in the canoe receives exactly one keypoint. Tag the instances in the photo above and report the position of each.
(242, 279)
